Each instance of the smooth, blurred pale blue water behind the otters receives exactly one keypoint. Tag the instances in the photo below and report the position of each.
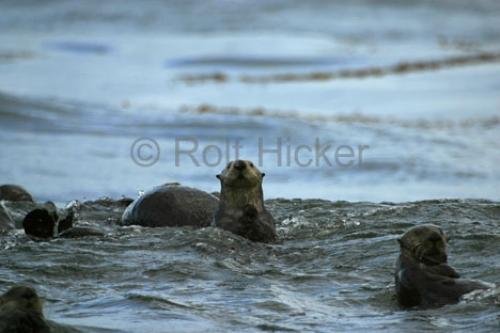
(81, 81)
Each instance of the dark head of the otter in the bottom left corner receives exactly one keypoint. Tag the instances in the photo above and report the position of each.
(21, 298)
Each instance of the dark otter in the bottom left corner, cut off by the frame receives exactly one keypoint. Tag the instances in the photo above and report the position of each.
(21, 312)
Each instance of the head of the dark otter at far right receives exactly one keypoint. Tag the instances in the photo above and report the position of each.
(425, 243)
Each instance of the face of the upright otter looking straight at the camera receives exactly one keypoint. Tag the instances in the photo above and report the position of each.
(240, 173)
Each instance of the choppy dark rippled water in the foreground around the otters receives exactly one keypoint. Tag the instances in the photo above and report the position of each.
(332, 271)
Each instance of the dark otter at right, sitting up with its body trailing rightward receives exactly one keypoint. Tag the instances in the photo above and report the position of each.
(423, 277)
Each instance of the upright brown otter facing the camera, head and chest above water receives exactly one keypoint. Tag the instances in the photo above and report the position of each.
(241, 207)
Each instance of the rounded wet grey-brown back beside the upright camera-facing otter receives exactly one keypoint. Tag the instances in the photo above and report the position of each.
(171, 205)
